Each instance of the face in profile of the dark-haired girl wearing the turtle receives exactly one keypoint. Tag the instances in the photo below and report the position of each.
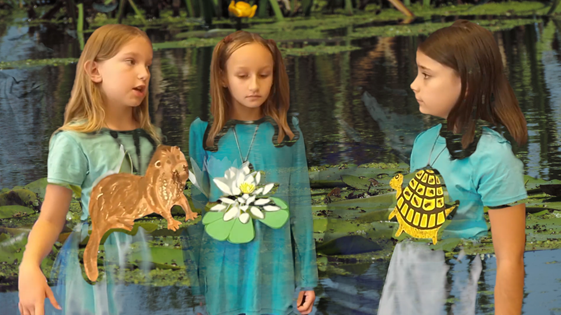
(437, 87)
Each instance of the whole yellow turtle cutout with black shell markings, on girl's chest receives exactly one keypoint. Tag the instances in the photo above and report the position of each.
(420, 208)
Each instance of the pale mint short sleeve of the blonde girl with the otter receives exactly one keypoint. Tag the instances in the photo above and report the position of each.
(67, 164)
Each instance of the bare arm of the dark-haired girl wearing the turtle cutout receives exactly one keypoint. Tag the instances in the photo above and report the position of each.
(508, 227)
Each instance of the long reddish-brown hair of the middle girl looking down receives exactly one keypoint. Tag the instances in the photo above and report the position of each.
(277, 104)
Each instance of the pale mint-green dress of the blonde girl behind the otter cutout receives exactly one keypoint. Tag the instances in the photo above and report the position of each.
(79, 159)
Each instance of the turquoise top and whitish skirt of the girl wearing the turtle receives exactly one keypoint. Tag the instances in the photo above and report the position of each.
(416, 282)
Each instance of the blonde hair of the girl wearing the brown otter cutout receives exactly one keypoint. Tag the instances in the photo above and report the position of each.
(84, 111)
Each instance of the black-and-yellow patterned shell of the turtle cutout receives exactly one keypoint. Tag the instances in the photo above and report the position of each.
(421, 203)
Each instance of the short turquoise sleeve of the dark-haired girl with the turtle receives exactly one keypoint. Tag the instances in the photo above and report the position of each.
(498, 174)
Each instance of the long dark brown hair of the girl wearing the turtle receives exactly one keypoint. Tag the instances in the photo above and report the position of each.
(486, 94)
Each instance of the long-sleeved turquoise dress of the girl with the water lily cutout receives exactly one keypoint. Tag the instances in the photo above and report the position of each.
(258, 277)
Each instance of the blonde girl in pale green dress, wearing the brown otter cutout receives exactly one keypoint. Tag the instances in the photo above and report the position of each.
(107, 112)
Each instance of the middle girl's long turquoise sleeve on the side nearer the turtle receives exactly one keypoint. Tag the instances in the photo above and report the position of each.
(301, 218)
